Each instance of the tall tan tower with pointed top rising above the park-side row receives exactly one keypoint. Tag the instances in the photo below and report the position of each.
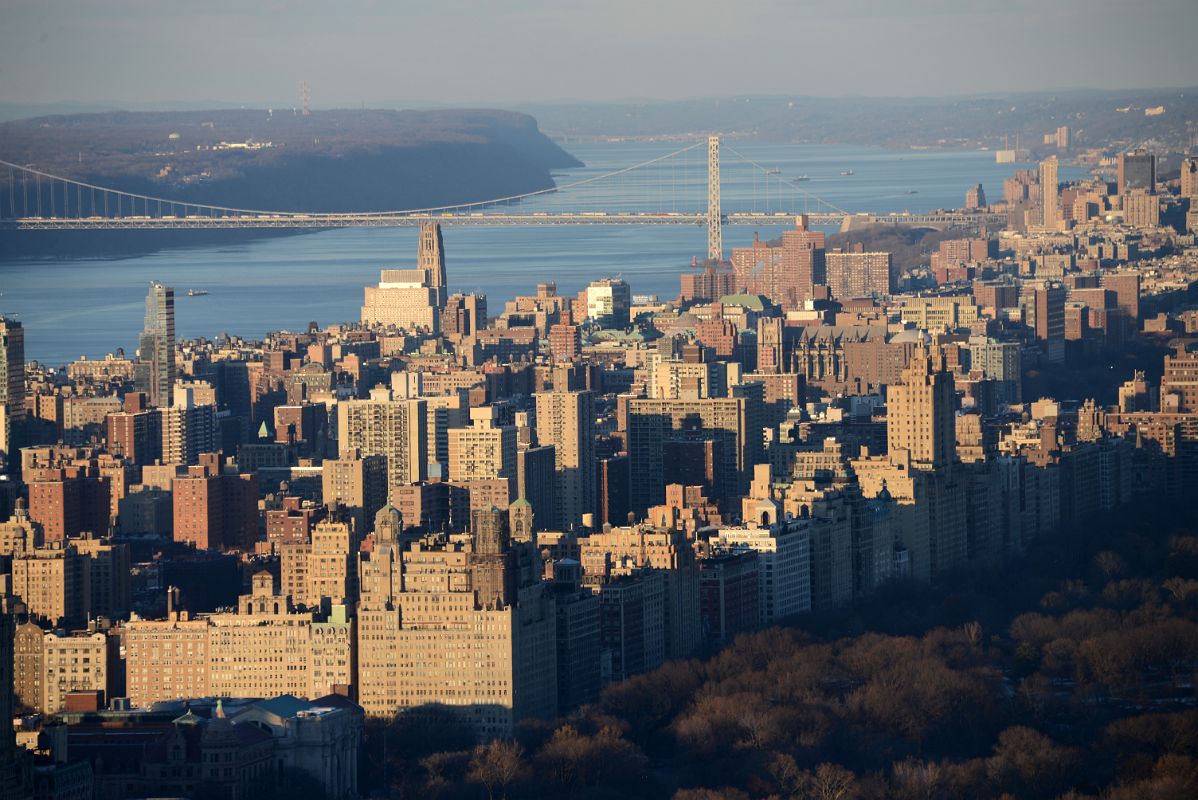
(921, 415)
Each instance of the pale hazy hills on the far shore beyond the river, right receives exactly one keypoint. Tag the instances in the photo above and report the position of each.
(1097, 119)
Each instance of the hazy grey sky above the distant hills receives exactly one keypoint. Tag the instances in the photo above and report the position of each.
(517, 52)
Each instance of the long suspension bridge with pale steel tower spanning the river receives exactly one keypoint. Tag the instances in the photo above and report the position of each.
(663, 191)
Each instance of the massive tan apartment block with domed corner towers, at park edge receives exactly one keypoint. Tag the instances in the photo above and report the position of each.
(437, 639)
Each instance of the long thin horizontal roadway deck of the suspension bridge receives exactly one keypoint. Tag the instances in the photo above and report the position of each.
(322, 221)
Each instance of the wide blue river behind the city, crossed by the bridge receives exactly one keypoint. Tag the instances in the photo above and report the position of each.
(93, 307)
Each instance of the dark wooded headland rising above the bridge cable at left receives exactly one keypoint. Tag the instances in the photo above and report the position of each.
(282, 161)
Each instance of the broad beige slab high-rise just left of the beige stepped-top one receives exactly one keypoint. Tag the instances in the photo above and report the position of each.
(383, 426)
